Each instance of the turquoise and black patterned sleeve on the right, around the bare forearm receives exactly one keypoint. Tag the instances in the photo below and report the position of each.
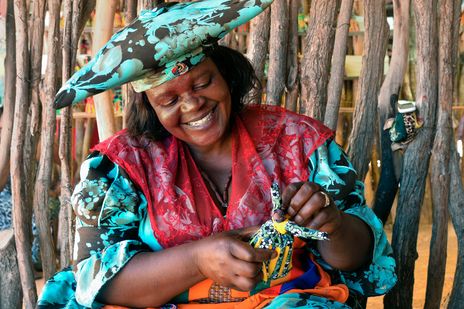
(330, 168)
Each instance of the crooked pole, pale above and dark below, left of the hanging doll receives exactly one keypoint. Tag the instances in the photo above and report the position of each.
(389, 92)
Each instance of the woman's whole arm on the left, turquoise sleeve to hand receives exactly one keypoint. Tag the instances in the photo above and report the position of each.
(114, 266)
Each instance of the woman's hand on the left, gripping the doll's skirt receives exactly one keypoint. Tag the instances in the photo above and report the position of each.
(229, 260)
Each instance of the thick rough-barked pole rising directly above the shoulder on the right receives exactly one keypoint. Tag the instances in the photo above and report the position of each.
(318, 48)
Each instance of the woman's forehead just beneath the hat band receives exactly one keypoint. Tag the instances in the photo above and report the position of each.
(203, 69)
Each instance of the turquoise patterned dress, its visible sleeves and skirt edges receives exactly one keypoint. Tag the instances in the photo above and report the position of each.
(112, 226)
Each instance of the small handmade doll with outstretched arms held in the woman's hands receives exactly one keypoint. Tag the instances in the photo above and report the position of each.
(278, 234)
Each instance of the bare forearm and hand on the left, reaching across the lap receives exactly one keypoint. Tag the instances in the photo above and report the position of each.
(151, 279)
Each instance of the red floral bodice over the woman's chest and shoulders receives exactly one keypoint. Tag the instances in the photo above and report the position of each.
(269, 144)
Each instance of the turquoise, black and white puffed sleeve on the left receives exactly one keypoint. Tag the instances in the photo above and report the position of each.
(108, 210)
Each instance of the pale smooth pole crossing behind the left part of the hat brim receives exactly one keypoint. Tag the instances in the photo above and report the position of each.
(103, 30)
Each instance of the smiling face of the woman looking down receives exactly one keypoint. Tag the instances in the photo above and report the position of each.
(194, 107)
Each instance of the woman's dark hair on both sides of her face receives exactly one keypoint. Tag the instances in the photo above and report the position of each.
(237, 72)
